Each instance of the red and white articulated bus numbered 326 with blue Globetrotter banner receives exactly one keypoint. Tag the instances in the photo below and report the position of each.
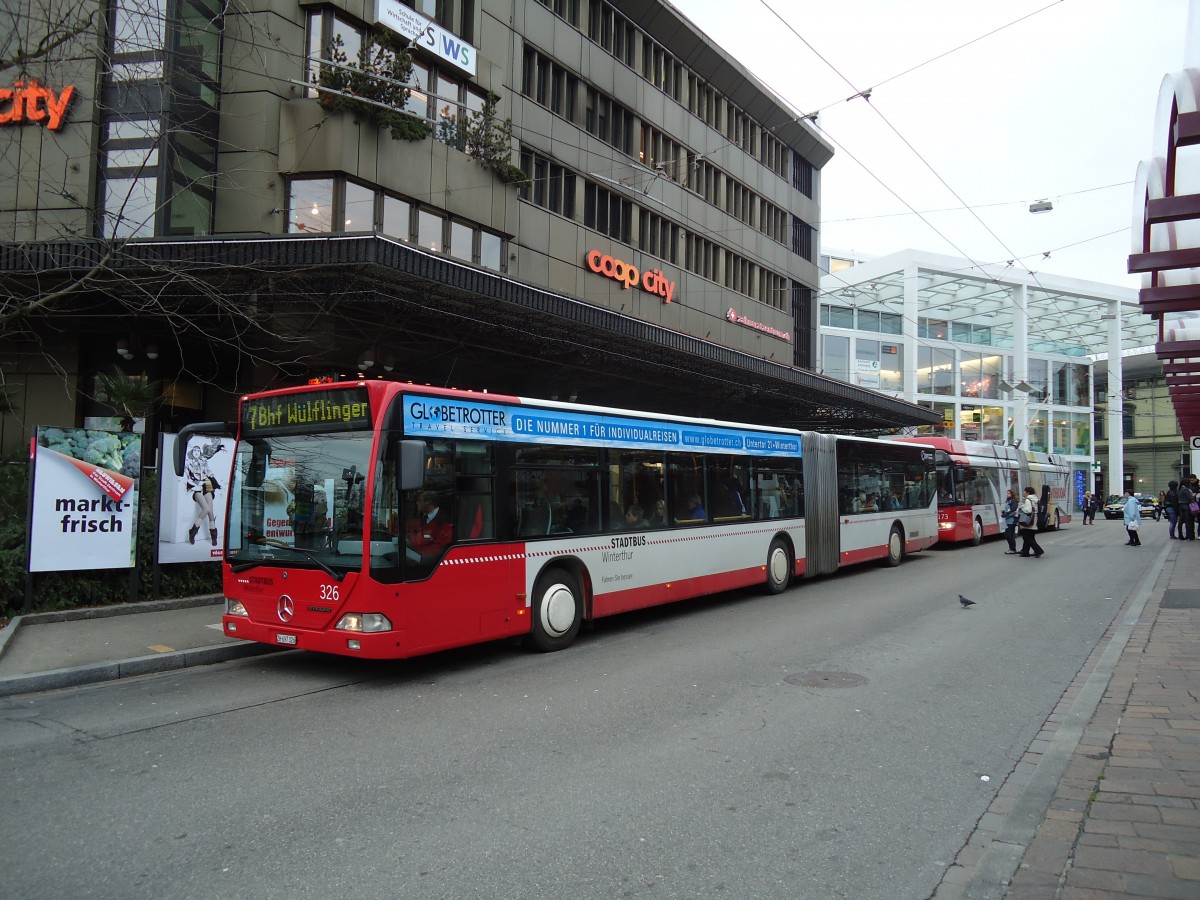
(380, 520)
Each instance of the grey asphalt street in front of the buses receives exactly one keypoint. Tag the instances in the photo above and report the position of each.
(841, 740)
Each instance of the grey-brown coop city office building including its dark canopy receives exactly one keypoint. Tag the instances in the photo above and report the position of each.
(573, 199)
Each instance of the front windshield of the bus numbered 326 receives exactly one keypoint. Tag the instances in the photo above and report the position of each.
(299, 500)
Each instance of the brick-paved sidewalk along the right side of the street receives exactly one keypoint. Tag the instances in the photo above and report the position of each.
(1106, 803)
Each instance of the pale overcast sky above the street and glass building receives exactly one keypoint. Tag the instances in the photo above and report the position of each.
(1059, 106)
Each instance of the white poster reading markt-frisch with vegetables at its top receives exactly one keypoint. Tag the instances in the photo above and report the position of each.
(85, 509)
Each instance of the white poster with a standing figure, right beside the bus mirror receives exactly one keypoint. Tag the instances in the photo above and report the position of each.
(193, 507)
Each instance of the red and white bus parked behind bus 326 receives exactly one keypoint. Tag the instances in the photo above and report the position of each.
(974, 478)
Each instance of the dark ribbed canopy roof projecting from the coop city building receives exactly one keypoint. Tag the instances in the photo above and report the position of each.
(446, 323)
